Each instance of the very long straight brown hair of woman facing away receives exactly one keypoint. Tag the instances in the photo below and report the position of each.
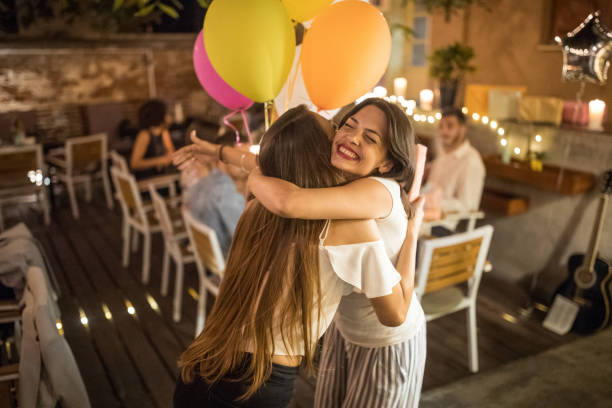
(271, 283)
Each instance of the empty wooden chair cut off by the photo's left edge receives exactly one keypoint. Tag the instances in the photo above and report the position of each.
(22, 175)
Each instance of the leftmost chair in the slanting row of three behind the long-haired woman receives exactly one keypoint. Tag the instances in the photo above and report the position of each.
(136, 217)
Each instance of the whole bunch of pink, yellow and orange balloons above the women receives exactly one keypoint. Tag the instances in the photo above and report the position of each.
(247, 52)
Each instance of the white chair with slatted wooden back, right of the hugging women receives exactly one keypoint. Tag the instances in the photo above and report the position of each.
(445, 265)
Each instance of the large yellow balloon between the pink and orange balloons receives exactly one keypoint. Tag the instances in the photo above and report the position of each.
(250, 44)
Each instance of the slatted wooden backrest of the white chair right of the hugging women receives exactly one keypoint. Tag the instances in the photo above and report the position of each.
(452, 260)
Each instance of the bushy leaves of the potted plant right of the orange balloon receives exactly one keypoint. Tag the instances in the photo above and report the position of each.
(451, 62)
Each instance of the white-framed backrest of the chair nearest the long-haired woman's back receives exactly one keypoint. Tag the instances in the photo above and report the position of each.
(205, 244)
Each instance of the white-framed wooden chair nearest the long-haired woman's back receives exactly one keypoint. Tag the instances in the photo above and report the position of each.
(205, 244)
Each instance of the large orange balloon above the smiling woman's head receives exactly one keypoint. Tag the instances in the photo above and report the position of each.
(345, 53)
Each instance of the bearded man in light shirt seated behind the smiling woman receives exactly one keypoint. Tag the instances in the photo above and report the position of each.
(456, 178)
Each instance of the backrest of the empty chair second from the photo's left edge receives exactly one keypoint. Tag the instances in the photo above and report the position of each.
(87, 152)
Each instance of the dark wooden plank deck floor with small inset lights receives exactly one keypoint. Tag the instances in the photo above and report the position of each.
(130, 360)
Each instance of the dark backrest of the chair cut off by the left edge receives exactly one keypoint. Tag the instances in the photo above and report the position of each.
(18, 164)
